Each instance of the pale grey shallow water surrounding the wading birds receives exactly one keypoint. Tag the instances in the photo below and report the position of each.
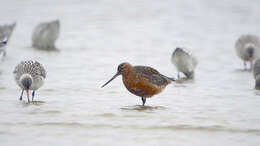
(220, 107)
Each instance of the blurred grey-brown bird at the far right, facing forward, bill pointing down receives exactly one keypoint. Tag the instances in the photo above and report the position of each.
(248, 48)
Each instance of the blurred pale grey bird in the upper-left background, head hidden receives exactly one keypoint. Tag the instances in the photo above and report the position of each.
(45, 35)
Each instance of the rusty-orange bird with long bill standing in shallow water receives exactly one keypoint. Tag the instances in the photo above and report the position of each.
(142, 81)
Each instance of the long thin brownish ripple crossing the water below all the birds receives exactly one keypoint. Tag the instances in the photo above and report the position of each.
(214, 128)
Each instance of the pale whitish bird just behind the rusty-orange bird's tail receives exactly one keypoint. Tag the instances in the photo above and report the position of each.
(184, 61)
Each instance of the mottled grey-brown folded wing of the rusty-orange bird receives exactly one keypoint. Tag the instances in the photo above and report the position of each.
(152, 75)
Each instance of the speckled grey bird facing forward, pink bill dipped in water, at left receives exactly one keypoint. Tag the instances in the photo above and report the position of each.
(29, 75)
